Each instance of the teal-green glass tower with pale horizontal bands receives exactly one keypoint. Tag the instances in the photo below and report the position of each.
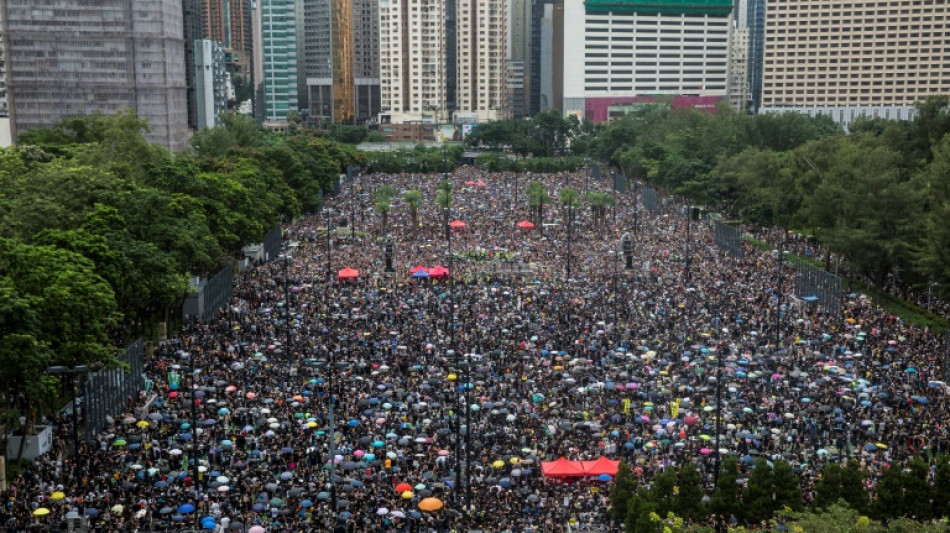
(279, 49)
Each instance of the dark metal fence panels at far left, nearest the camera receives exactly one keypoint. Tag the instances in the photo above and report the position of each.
(108, 392)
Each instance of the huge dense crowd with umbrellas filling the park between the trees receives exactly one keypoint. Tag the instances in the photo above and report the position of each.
(611, 362)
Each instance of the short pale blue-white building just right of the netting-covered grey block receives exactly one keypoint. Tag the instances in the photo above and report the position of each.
(211, 83)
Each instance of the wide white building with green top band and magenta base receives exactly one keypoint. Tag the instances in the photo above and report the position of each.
(636, 48)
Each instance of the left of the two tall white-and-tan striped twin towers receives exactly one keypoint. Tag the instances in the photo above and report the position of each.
(413, 55)
